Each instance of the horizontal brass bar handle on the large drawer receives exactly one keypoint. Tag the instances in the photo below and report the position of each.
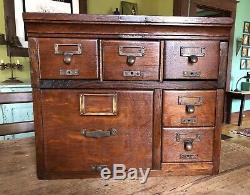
(99, 133)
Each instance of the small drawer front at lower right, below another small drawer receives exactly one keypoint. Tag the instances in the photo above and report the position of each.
(187, 144)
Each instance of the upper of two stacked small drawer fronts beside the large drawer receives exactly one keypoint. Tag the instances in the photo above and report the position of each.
(189, 108)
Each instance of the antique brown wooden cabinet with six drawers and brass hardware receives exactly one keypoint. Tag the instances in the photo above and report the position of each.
(142, 91)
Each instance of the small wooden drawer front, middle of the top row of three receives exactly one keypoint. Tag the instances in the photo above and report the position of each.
(131, 60)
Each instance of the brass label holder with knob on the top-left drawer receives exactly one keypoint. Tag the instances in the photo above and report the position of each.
(68, 54)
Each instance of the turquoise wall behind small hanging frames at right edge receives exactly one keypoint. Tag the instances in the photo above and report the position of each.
(243, 14)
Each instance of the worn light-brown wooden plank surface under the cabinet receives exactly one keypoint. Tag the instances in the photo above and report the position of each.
(17, 174)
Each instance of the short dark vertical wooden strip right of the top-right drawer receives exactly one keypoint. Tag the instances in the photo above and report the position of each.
(223, 64)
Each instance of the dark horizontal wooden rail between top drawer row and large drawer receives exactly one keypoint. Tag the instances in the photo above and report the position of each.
(67, 84)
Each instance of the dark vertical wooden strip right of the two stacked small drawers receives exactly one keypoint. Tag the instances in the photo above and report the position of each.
(217, 133)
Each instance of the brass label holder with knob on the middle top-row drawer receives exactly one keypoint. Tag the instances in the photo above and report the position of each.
(131, 52)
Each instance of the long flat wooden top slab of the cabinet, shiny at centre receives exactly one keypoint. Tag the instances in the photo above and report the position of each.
(140, 19)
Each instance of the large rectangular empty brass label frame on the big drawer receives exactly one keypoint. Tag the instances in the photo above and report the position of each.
(83, 105)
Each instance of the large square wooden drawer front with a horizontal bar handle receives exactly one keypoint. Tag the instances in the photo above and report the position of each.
(84, 130)
